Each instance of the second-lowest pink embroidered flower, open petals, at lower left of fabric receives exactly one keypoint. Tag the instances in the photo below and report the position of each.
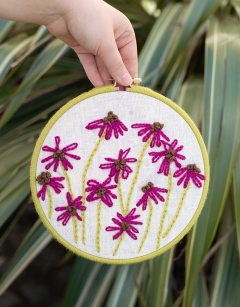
(71, 209)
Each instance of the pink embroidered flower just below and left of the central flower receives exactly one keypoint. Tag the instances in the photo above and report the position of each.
(101, 191)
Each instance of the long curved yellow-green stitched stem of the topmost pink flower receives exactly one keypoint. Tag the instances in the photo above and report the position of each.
(89, 162)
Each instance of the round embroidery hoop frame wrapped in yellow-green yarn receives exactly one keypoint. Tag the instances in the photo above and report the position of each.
(40, 143)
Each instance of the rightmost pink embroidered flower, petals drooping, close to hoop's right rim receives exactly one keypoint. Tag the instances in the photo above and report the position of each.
(191, 171)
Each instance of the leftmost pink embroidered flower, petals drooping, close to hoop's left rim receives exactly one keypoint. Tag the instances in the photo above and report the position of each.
(45, 179)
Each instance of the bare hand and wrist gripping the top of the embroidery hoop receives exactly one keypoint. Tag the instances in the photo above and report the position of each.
(102, 37)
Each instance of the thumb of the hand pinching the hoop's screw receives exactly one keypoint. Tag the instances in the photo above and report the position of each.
(114, 63)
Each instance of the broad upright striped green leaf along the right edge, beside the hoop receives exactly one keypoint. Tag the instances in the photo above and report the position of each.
(221, 135)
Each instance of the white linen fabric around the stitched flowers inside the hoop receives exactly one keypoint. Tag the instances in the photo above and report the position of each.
(131, 108)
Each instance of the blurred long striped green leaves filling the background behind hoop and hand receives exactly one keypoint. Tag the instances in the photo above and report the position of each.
(190, 52)
